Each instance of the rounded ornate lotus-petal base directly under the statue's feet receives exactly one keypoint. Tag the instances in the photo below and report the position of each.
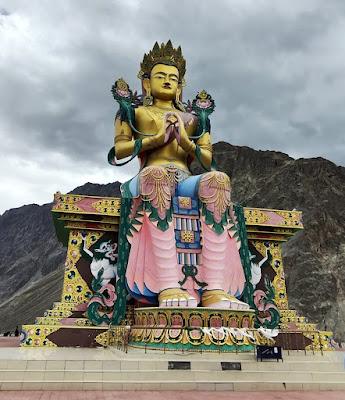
(197, 329)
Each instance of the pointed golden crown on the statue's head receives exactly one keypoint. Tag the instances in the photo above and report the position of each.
(163, 54)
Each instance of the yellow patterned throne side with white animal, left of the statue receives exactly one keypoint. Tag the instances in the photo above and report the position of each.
(80, 222)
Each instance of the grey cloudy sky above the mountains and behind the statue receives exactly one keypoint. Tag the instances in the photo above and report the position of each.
(275, 68)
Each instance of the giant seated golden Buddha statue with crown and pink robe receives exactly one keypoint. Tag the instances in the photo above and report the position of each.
(171, 207)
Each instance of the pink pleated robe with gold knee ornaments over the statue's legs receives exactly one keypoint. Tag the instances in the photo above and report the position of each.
(153, 265)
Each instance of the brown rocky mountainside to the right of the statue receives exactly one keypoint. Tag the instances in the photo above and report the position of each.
(315, 257)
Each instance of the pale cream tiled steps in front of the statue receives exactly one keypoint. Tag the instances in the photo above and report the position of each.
(110, 369)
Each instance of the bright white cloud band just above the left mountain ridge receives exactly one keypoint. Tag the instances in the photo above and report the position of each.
(36, 181)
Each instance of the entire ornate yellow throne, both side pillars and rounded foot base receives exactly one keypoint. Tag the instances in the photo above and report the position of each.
(88, 226)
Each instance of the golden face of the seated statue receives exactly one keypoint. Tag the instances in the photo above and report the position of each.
(164, 81)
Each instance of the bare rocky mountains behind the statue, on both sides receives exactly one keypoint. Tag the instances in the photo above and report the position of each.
(31, 259)
